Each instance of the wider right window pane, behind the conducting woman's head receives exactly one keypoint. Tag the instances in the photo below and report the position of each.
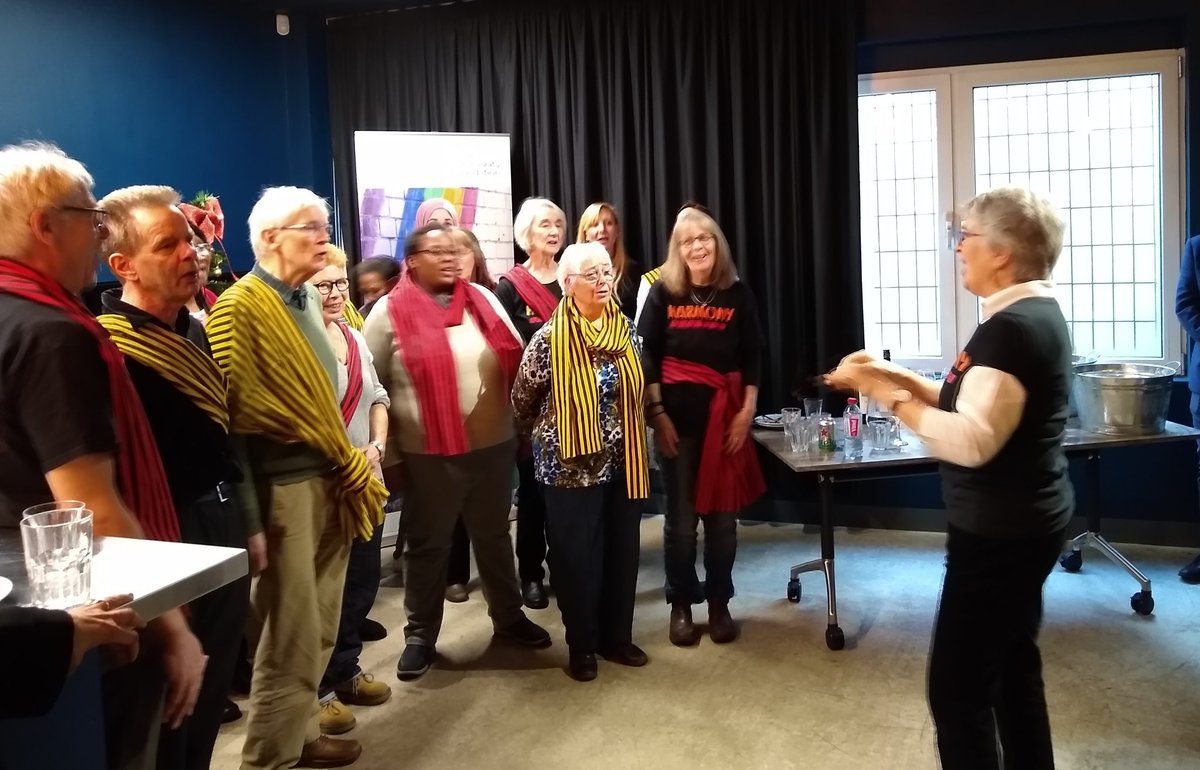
(1094, 147)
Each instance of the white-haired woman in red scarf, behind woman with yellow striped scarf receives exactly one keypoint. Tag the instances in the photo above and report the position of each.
(531, 293)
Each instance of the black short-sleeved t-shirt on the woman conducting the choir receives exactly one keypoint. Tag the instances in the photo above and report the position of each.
(1024, 491)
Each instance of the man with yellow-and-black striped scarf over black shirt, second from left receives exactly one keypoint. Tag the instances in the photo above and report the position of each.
(151, 252)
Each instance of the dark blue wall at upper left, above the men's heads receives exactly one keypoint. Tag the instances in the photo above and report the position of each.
(199, 97)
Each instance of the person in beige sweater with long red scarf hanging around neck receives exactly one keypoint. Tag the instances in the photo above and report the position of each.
(447, 354)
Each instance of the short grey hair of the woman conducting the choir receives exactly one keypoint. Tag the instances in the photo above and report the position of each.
(1021, 221)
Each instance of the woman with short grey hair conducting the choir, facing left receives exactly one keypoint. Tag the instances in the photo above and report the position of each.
(998, 425)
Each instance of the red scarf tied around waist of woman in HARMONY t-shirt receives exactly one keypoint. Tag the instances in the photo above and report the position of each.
(725, 484)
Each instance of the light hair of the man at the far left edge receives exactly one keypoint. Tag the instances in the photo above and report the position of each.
(34, 176)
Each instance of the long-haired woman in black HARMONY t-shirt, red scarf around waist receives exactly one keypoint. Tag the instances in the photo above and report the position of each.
(704, 356)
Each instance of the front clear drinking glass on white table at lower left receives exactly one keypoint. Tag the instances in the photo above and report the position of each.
(58, 557)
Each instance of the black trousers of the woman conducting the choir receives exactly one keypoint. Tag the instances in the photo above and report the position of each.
(985, 669)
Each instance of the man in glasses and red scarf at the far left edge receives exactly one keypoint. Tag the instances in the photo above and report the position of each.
(74, 425)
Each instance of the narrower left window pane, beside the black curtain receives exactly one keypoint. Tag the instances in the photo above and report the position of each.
(901, 222)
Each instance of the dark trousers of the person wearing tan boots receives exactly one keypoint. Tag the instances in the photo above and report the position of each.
(358, 598)
